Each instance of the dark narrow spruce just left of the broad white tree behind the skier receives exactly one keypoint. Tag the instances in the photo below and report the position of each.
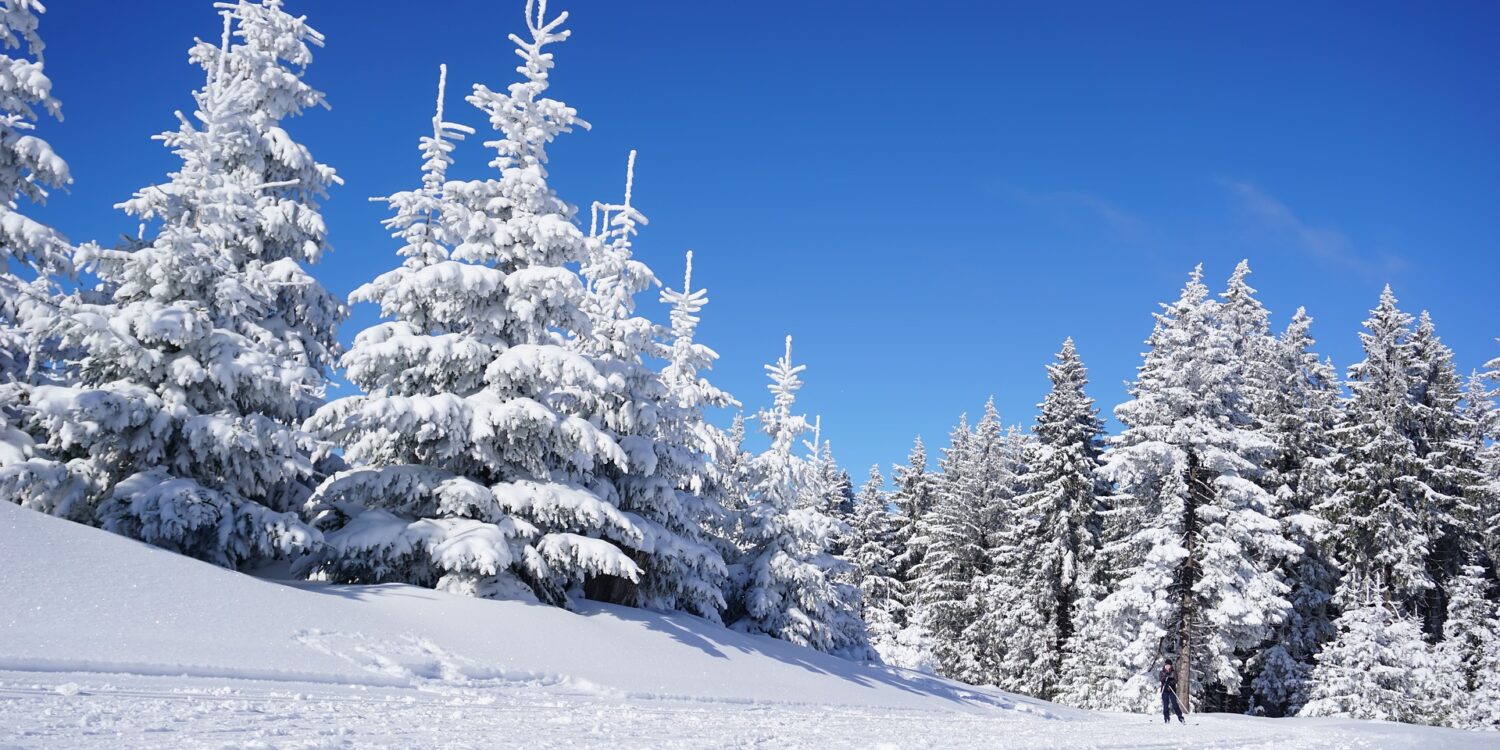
(1058, 529)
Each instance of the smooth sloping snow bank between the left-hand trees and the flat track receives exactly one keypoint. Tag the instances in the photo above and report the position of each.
(85, 601)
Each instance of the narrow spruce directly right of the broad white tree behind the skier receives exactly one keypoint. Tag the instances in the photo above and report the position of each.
(1301, 416)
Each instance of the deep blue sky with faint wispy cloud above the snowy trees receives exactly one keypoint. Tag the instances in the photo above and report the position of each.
(929, 196)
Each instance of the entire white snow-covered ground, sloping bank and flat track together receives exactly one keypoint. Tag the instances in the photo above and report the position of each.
(107, 643)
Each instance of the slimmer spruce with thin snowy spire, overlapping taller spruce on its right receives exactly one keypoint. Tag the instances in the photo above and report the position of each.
(419, 509)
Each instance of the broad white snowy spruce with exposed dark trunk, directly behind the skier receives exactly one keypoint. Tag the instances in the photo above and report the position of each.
(1202, 584)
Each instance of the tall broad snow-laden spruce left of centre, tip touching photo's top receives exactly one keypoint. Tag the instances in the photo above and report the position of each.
(482, 424)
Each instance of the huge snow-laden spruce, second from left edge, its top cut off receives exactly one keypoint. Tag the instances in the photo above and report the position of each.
(209, 344)
